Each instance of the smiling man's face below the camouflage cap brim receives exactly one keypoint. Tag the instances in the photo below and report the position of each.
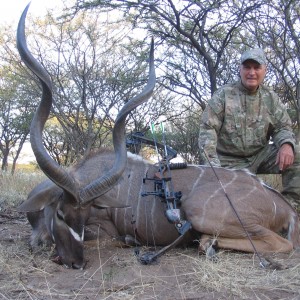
(252, 74)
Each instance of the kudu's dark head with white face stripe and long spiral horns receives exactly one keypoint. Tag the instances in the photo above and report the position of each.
(69, 210)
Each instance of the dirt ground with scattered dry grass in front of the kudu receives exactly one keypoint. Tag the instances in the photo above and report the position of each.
(115, 273)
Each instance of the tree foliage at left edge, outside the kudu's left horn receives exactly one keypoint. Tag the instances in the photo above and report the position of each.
(16, 104)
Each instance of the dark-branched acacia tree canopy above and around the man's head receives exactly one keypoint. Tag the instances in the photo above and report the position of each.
(200, 42)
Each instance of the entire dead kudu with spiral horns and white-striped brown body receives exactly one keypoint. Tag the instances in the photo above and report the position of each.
(59, 208)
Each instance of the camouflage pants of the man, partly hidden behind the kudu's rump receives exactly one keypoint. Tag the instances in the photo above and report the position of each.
(264, 163)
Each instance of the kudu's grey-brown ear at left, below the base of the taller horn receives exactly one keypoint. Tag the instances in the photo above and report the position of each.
(42, 195)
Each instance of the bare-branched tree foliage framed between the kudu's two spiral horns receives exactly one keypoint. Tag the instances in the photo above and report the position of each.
(91, 82)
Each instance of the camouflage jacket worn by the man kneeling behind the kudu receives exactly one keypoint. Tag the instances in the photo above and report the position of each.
(239, 123)
